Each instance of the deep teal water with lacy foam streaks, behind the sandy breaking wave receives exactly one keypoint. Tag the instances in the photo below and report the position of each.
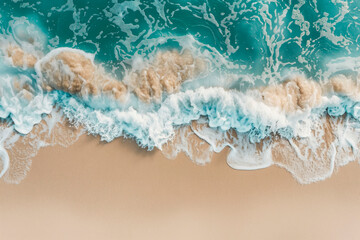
(253, 37)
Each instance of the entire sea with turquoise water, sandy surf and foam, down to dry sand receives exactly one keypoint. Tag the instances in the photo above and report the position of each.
(233, 59)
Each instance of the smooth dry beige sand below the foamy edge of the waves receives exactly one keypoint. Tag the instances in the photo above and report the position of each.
(118, 191)
